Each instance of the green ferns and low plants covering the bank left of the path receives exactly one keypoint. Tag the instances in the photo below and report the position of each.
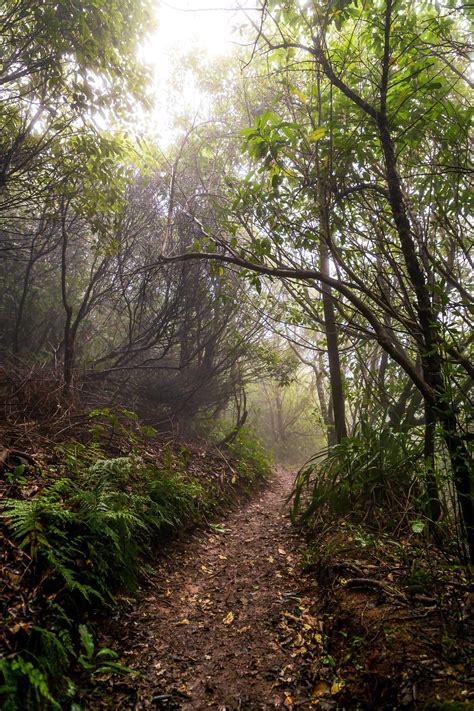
(83, 532)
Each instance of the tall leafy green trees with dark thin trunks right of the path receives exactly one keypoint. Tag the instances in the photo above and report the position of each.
(357, 196)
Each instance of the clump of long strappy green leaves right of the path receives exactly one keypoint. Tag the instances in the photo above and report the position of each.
(375, 477)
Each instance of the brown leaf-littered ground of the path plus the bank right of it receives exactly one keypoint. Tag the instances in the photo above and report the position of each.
(230, 621)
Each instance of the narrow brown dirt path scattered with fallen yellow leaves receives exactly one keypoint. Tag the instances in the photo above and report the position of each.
(205, 636)
